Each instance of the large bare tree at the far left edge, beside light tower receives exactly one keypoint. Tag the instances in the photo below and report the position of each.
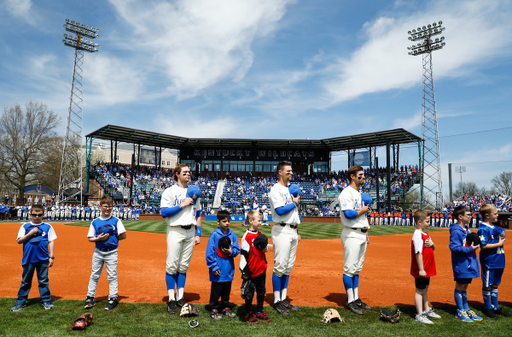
(27, 141)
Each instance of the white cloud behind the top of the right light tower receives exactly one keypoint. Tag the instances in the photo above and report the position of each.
(473, 30)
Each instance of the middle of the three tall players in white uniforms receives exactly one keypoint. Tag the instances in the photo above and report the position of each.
(285, 236)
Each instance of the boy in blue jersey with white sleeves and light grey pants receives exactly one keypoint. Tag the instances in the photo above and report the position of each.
(105, 232)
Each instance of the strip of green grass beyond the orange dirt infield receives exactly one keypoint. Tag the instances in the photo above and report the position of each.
(307, 230)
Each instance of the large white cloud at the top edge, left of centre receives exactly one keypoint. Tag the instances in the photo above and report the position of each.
(199, 42)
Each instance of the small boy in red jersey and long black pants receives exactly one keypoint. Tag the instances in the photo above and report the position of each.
(253, 265)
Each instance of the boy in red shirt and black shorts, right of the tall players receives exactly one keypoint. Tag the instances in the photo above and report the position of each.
(423, 266)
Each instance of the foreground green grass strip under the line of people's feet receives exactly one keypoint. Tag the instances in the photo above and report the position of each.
(144, 319)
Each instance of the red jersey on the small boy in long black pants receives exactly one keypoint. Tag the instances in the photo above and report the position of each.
(252, 260)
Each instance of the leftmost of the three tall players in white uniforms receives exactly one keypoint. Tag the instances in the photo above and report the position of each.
(183, 218)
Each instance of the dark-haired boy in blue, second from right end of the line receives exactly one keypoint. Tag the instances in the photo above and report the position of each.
(464, 262)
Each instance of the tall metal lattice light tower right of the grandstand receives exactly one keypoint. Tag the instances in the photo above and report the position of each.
(431, 170)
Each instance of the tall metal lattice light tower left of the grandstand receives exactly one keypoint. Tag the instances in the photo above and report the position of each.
(70, 182)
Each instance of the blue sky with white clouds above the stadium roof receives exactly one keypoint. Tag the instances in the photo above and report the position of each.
(273, 69)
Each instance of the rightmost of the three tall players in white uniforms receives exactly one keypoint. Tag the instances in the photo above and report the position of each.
(354, 237)
